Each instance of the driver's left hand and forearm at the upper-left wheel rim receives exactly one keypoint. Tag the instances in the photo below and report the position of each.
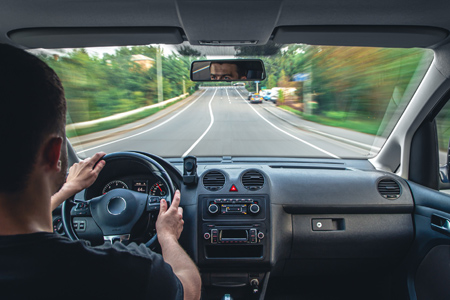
(81, 175)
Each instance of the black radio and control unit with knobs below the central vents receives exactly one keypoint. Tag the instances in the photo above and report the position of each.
(233, 226)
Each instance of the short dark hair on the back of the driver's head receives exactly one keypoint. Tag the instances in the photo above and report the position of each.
(32, 106)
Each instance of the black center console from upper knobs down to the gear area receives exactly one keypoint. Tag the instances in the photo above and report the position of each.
(234, 237)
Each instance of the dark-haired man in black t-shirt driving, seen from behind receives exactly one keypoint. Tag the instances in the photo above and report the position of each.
(35, 262)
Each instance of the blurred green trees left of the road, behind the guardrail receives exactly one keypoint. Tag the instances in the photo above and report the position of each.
(97, 87)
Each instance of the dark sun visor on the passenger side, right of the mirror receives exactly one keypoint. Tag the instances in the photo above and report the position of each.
(363, 36)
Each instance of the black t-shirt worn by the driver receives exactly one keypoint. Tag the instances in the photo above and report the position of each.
(46, 266)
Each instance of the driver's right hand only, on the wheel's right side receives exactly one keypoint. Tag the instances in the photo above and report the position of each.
(170, 221)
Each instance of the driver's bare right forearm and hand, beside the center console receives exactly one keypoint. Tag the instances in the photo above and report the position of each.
(169, 227)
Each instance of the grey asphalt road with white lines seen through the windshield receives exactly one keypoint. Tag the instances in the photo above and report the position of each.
(221, 122)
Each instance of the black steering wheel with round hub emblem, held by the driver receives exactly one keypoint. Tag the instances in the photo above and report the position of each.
(117, 212)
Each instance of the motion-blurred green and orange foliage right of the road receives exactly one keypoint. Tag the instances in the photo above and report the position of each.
(351, 84)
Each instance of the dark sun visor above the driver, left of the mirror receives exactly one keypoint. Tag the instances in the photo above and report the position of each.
(94, 36)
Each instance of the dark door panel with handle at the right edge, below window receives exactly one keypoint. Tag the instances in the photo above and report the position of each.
(429, 259)
